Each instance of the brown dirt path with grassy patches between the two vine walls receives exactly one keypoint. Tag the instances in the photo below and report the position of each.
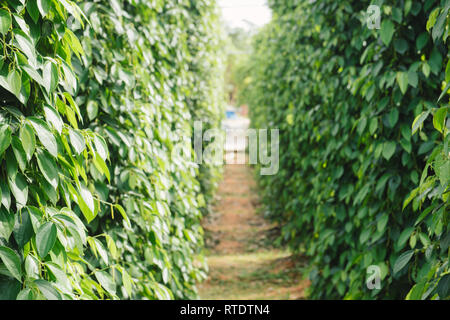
(243, 265)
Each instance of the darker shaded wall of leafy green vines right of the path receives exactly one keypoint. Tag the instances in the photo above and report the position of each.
(352, 104)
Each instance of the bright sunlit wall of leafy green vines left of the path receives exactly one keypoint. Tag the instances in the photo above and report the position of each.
(94, 98)
